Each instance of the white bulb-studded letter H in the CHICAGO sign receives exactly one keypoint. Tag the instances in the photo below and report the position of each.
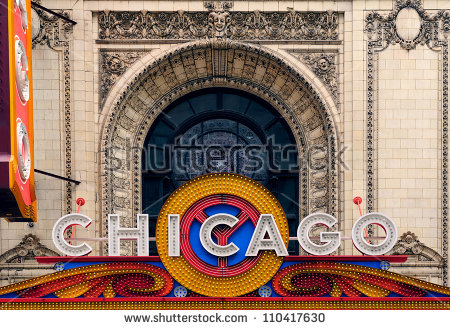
(115, 234)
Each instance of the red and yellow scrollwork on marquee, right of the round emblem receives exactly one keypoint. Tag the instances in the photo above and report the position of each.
(315, 279)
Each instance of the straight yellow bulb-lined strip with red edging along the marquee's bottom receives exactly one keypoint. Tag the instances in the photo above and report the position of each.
(226, 303)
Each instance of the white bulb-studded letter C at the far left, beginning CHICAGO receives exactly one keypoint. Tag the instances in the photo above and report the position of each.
(58, 234)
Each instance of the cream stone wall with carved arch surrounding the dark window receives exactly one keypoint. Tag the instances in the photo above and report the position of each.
(327, 67)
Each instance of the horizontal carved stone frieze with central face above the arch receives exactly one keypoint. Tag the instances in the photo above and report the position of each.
(218, 23)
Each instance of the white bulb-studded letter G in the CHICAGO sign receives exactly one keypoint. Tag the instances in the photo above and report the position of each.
(332, 240)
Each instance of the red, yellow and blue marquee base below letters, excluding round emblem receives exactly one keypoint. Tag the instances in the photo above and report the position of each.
(302, 282)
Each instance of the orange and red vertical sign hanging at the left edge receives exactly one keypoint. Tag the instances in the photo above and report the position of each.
(18, 200)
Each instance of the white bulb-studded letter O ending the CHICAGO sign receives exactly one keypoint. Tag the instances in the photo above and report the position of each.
(382, 220)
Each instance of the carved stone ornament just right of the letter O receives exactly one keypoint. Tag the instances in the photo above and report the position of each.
(408, 244)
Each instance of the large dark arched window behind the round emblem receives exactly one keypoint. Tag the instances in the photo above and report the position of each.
(220, 130)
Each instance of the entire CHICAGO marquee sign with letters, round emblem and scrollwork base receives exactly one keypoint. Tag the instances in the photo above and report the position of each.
(222, 244)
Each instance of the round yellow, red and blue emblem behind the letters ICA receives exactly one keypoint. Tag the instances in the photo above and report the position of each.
(225, 196)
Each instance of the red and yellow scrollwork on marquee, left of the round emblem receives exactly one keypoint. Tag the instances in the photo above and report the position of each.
(124, 279)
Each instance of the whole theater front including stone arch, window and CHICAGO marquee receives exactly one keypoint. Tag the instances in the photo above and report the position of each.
(186, 119)
